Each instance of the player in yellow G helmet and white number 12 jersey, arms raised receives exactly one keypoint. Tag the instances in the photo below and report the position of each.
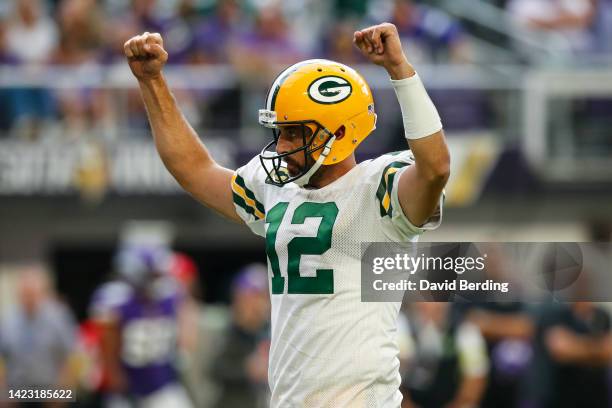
(314, 205)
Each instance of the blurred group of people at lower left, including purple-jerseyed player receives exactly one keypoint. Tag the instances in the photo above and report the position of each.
(147, 340)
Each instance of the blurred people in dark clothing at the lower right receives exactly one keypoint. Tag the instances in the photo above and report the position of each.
(506, 355)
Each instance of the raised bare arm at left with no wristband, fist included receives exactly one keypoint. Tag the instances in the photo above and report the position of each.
(179, 147)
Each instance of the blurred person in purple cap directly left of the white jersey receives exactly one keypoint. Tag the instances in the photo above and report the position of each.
(242, 364)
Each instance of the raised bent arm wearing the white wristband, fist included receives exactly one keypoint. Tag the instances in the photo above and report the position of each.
(420, 186)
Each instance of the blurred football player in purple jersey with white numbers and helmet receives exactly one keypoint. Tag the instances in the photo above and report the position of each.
(139, 319)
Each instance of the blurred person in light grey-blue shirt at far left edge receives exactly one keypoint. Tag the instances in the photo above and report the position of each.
(37, 337)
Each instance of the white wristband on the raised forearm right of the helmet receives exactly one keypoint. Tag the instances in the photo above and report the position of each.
(421, 118)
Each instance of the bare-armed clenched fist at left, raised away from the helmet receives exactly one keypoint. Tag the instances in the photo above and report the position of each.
(146, 55)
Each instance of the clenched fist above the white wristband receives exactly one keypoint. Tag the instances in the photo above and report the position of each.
(381, 45)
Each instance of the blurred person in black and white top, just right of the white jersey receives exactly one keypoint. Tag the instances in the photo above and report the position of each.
(445, 362)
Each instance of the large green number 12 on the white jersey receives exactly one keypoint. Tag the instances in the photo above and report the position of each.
(323, 283)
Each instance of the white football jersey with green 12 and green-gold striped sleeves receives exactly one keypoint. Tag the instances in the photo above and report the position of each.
(328, 348)
